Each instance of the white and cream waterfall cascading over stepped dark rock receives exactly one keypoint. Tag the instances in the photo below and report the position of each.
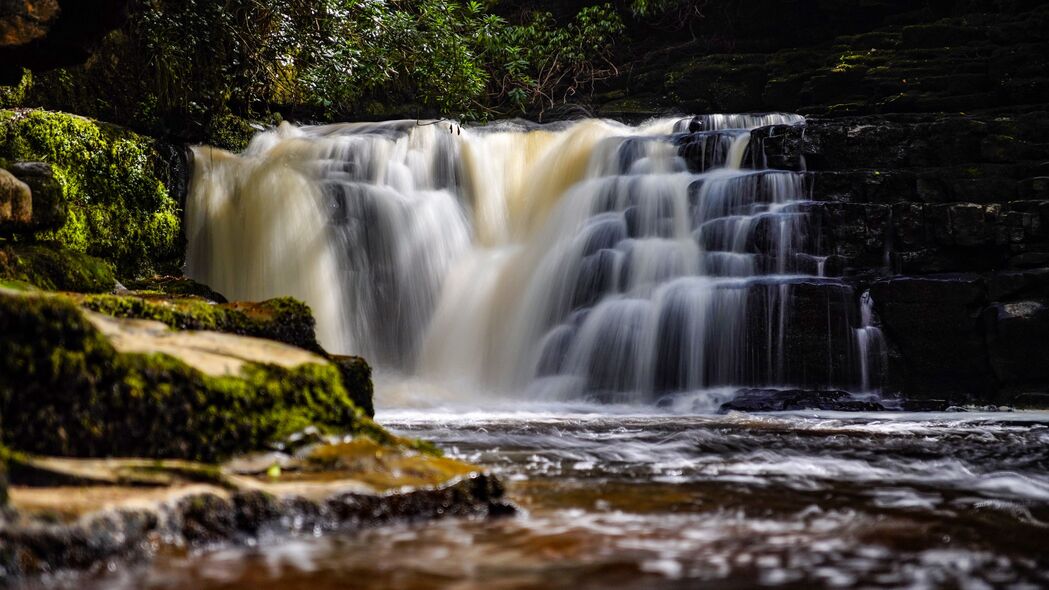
(580, 260)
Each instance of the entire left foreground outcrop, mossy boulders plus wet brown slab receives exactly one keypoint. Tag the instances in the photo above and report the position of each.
(238, 424)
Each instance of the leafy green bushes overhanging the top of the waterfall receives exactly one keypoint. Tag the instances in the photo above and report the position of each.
(187, 67)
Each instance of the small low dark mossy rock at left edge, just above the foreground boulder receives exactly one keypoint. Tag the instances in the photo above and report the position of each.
(51, 267)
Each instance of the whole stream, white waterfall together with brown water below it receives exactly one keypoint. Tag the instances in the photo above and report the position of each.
(569, 306)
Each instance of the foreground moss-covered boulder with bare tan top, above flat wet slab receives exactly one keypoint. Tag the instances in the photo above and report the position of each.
(78, 384)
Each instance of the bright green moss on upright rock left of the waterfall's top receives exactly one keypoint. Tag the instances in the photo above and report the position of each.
(119, 208)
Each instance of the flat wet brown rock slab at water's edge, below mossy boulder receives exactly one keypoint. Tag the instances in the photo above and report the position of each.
(73, 515)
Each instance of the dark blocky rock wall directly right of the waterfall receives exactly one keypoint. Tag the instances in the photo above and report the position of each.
(946, 220)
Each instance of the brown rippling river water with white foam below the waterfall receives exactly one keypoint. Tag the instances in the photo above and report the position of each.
(616, 498)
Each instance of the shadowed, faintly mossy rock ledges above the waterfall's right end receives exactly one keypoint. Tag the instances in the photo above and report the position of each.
(839, 58)
